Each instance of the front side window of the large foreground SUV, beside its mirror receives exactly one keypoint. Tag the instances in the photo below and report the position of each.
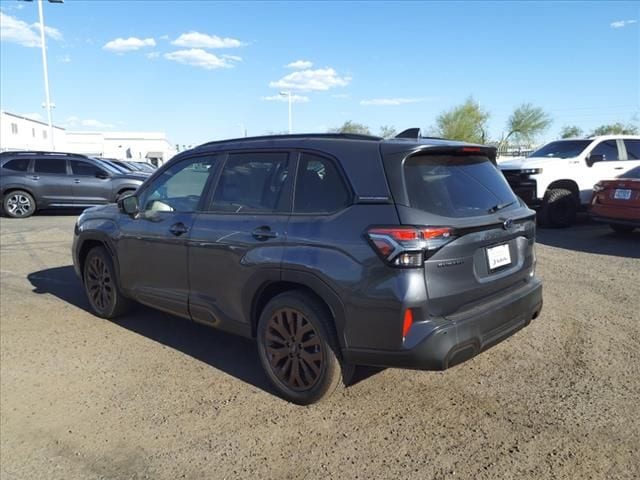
(178, 188)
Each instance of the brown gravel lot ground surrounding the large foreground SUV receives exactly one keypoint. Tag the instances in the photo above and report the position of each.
(153, 396)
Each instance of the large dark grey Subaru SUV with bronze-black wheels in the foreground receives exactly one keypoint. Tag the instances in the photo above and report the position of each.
(330, 250)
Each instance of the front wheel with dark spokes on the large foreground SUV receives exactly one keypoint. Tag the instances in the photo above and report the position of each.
(101, 285)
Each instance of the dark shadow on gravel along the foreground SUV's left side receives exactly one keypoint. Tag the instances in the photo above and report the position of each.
(231, 354)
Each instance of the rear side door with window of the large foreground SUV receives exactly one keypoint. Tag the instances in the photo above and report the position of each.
(237, 244)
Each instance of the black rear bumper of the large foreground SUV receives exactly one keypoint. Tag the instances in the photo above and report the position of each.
(438, 345)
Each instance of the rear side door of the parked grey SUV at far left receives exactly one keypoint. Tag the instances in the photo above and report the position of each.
(51, 182)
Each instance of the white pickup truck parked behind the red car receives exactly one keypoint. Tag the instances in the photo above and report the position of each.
(558, 178)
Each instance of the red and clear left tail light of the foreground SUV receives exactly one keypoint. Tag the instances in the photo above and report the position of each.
(408, 246)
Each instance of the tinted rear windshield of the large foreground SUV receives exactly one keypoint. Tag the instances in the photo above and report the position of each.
(456, 186)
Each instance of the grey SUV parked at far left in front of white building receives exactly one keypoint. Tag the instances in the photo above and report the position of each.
(36, 180)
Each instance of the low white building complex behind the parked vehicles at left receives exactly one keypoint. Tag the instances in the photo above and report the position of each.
(22, 133)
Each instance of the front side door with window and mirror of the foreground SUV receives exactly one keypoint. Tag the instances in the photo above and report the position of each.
(152, 248)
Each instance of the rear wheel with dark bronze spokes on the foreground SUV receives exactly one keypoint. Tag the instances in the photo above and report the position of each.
(298, 348)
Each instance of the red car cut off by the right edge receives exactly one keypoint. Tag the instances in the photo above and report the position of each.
(617, 202)
